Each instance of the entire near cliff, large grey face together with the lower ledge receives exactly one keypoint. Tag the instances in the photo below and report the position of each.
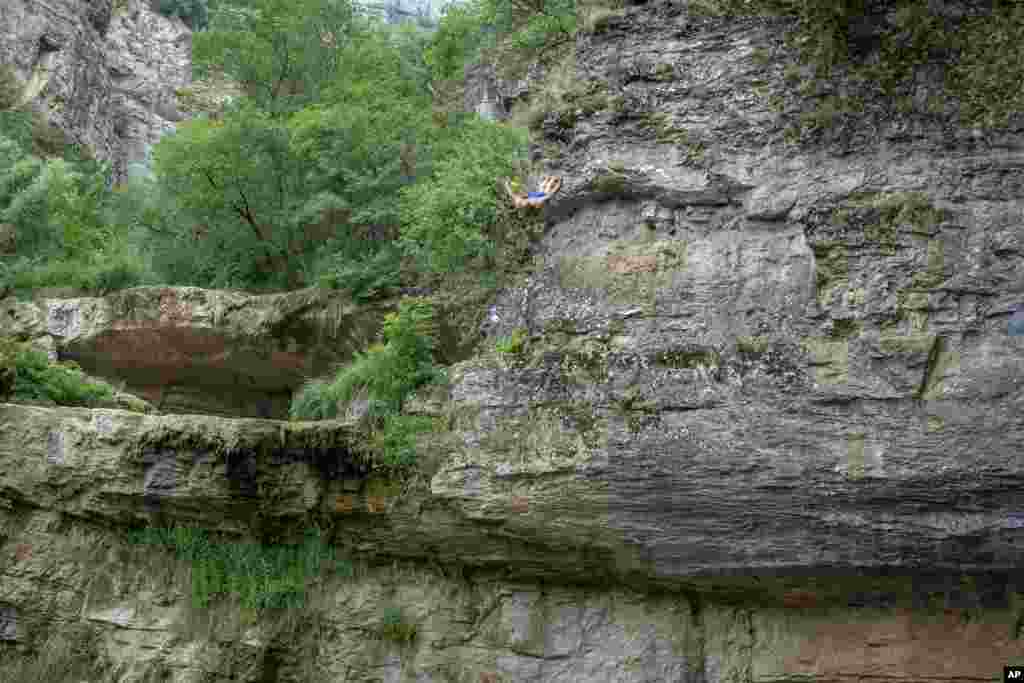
(765, 428)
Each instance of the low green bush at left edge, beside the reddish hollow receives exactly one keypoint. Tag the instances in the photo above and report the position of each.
(38, 379)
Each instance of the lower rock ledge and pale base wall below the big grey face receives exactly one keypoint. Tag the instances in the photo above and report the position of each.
(70, 479)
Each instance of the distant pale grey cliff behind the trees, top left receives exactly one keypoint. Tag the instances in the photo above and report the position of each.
(103, 71)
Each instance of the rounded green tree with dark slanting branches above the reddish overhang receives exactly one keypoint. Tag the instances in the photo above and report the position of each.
(239, 180)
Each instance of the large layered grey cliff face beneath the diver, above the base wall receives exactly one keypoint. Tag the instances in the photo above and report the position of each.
(766, 354)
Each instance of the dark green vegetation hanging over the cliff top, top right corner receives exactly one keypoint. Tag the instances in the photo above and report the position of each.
(982, 55)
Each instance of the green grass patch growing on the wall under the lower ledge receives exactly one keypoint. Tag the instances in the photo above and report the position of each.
(260, 577)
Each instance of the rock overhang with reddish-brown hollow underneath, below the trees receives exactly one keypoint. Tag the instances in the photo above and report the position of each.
(195, 351)
